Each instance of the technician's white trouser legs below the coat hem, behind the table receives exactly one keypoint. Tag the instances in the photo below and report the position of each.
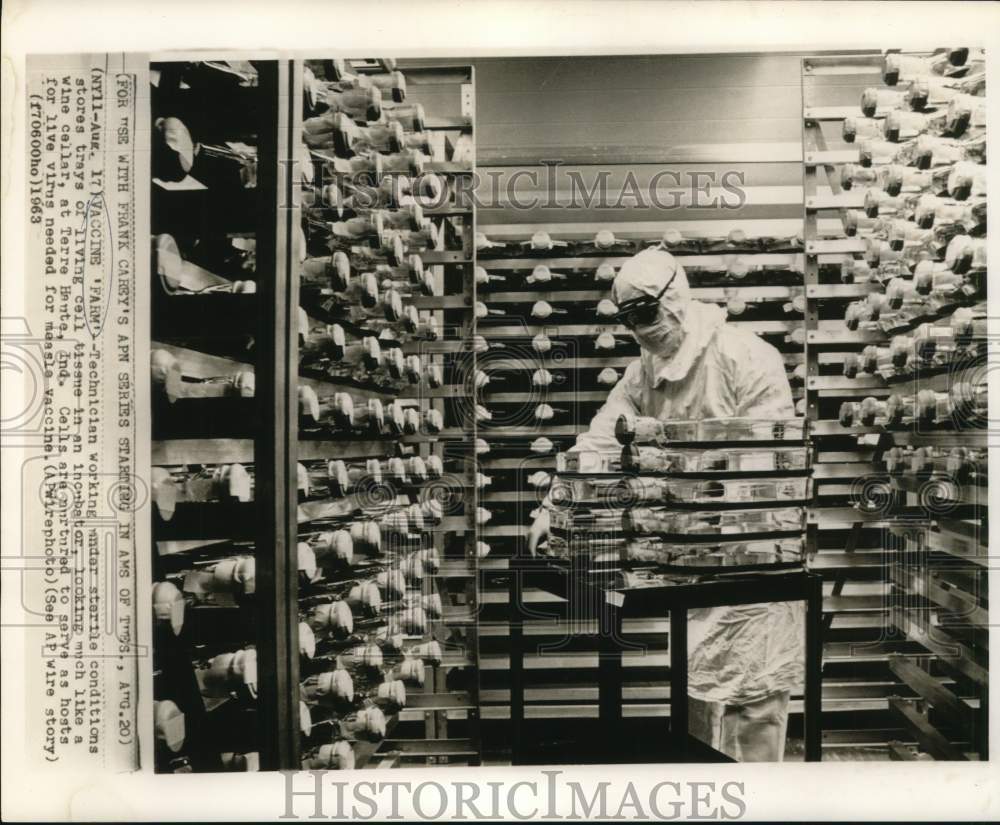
(753, 732)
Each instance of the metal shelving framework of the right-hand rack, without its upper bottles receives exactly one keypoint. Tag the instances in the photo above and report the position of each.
(921, 528)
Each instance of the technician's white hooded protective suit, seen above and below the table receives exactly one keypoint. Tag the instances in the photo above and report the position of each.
(694, 365)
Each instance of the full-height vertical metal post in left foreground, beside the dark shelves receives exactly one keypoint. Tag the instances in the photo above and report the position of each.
(275, 447)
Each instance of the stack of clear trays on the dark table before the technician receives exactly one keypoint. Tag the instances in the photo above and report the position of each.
(697, 497)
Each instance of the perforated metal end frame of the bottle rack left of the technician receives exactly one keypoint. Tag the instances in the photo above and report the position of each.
(439, 725)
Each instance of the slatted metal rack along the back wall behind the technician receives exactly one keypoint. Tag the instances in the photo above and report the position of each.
(565, 683)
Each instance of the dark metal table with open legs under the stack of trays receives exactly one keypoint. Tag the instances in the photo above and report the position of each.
(611, 605)
